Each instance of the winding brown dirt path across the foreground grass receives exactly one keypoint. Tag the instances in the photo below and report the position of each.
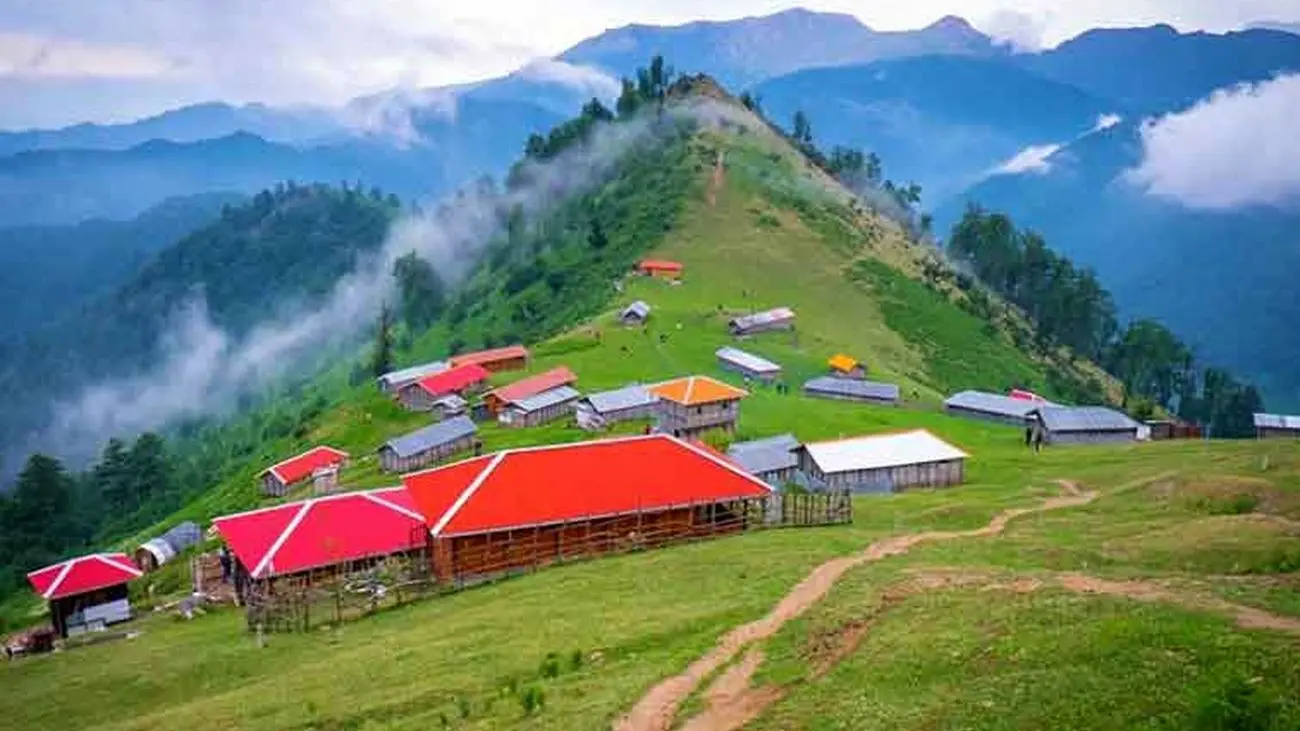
(658, 708)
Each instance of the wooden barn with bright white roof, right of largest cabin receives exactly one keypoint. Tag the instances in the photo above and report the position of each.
(883, 464)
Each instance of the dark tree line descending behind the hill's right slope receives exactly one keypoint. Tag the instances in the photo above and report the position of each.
(1069, 308)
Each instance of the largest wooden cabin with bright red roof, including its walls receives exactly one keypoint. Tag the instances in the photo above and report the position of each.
(534, 507)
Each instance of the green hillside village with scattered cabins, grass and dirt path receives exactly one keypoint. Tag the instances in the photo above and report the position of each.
(718, 492)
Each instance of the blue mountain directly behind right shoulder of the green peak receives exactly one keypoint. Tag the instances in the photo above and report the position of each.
(943, 122)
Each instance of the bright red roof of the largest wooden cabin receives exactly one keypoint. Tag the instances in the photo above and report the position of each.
(566, 483)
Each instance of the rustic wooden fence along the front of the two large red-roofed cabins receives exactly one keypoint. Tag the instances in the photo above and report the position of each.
(435, 566)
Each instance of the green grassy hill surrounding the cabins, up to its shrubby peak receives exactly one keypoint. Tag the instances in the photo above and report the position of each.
(1032, 629)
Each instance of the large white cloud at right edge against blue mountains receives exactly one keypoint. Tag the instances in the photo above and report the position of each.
(1238, 148)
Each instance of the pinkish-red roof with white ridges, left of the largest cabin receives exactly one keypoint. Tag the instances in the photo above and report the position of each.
(324, 531)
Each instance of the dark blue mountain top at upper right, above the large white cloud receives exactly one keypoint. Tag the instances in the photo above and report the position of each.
(1159, 70)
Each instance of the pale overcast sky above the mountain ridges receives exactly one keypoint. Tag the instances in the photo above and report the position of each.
(64, 62)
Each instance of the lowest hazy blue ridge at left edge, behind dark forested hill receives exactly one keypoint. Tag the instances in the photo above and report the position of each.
(47, 272)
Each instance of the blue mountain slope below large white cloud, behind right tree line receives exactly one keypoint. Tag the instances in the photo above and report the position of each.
(1224, 282)
